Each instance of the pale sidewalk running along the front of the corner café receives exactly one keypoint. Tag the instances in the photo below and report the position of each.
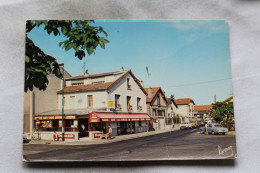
(88, 141)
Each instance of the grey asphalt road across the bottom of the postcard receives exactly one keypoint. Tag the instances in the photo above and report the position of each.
(178, 145)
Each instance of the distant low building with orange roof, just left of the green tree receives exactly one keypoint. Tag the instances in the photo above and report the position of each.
(202, 112)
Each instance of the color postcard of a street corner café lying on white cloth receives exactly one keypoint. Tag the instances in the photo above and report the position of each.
(127, 90)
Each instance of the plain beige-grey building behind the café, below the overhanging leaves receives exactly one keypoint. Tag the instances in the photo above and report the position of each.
(37, 101)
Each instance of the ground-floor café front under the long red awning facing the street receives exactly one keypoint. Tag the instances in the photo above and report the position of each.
(121, 123)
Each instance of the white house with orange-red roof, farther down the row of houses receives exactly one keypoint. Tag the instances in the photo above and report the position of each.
(185, 109)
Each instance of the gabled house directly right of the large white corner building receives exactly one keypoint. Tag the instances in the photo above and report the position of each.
(157, 104)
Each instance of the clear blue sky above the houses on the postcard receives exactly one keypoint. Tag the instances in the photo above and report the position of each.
(189, 59)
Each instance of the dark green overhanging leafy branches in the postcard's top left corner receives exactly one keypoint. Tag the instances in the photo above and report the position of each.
(80, 36)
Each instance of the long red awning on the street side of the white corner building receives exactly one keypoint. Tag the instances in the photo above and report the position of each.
(108, 117)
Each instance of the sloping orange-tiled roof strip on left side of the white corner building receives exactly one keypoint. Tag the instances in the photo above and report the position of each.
(79, 88)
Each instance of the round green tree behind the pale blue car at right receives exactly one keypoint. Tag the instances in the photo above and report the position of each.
(221, 110)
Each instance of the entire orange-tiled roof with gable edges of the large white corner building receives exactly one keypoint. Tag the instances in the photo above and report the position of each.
(107, 85)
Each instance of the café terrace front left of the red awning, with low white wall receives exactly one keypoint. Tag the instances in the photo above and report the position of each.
(46, 126)
